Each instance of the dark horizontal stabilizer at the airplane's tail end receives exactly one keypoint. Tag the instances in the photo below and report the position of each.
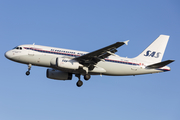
(160, 64)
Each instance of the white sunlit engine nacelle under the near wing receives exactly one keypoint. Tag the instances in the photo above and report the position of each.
(67, 63)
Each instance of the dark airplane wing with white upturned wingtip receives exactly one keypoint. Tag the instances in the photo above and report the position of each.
(94, 57)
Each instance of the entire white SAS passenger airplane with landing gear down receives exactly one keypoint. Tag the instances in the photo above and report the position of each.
(63, 63)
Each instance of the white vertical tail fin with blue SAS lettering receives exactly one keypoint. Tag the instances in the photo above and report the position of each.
(155, 51)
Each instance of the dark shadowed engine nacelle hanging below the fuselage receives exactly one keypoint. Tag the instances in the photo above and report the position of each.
(58, 75)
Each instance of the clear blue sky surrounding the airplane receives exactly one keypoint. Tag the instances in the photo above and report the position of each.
(87, 26)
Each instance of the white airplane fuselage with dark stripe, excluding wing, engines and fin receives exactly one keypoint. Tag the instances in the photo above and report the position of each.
(113, 65)
